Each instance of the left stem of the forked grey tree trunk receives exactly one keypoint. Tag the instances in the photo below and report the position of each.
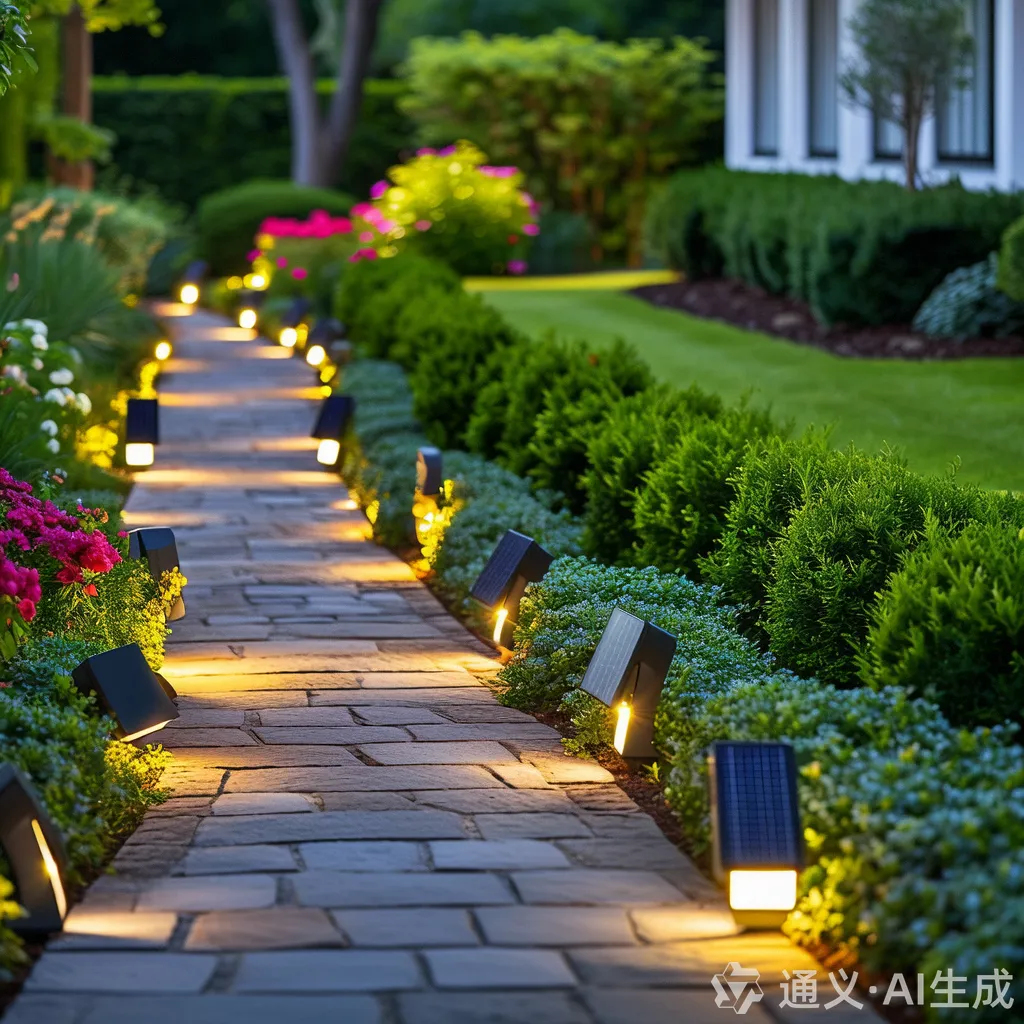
(293, 52)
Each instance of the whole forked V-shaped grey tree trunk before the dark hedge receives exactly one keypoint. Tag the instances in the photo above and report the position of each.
(320, 144)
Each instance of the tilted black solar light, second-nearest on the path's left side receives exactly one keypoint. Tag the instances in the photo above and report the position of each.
(127, 690)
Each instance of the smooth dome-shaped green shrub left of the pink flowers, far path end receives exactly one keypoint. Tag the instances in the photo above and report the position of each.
(227, 222)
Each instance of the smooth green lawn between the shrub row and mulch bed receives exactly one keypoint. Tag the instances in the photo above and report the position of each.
(932, 412)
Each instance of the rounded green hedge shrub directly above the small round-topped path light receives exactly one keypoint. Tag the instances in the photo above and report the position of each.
(456, 350)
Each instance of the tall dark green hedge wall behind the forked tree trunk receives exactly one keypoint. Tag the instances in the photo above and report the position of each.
(222, 132)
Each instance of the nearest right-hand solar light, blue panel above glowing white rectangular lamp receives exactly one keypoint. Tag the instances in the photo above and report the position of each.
(758, 848)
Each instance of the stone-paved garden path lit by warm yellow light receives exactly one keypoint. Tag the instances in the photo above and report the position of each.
(359, 833)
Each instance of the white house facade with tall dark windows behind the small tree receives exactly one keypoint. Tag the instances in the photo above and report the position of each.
(785, 110)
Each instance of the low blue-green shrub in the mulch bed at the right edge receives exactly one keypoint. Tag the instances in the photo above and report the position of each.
(968, 305)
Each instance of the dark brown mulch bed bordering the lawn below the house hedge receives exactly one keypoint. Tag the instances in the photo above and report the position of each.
(738, 304)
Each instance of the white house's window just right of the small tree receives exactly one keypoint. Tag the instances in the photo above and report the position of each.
(965, 115)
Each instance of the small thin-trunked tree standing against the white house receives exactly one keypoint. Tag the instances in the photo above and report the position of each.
(910, 52)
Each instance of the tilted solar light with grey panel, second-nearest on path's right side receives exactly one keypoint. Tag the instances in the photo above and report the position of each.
(628, 673)
